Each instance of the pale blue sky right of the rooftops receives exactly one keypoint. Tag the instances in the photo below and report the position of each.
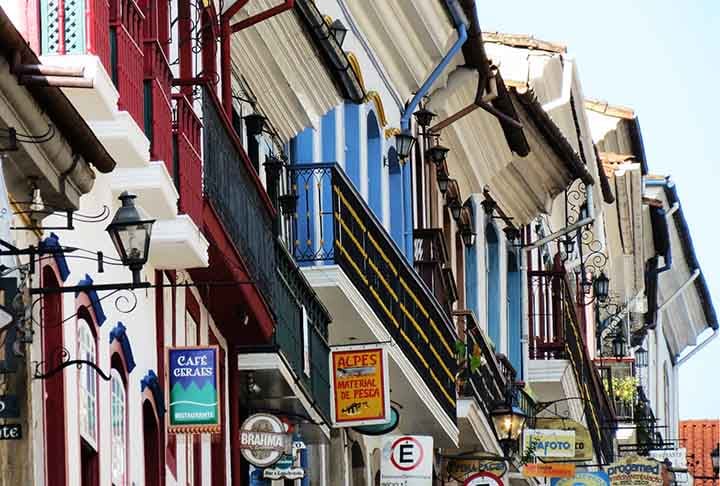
(660, 58)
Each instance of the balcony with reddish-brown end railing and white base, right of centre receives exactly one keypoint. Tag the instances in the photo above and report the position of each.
(560, 366)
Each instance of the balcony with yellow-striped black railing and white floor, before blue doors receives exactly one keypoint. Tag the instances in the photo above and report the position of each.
(375, 295)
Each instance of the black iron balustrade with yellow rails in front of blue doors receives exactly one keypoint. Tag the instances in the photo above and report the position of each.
(334, 225)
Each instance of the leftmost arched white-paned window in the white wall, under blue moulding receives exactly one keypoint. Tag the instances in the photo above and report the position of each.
(88, 384)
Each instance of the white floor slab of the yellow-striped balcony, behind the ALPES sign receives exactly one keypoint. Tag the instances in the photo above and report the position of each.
(354, 322)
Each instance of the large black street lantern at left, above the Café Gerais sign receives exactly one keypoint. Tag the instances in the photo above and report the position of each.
(130, 232)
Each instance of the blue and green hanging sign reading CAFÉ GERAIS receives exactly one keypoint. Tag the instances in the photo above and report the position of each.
(193, 389)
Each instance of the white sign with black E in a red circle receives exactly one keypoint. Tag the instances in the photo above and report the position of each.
(407, 460)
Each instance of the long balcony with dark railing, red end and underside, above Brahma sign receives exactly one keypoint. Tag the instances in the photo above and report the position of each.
(289, 359)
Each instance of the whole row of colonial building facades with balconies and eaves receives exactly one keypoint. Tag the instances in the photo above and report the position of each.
(291, 216)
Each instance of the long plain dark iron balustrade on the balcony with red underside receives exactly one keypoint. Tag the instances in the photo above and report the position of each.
(301, 321)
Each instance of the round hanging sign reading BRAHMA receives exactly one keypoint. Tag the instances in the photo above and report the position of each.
(264, 440)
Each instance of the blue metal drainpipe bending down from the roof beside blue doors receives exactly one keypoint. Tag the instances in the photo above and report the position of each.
(458, 19)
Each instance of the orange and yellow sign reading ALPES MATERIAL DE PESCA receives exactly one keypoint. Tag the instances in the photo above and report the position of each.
(360, 387)
